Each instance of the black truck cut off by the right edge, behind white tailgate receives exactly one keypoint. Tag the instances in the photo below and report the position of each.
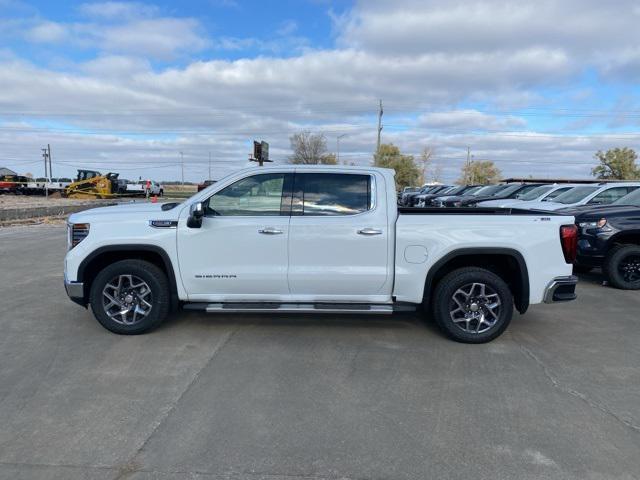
(609, 237)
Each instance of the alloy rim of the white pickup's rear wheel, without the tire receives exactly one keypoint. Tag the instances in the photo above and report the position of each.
(475, 308)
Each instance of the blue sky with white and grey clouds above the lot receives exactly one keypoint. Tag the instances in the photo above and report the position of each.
(537, 87)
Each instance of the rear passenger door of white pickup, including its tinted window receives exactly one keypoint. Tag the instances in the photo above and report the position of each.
(338, 238)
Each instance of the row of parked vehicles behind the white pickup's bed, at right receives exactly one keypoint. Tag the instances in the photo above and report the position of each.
(607, 216)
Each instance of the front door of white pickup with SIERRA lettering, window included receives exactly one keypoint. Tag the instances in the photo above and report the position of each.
(240, 252)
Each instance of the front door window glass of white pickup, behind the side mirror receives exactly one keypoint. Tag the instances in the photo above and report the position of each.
(252, 196)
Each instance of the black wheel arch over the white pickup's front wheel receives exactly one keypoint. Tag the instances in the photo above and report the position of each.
(103, 256)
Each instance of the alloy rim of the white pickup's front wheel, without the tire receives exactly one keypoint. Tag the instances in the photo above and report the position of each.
(127, 299)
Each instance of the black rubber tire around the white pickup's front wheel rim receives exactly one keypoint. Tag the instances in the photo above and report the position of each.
(154, 279)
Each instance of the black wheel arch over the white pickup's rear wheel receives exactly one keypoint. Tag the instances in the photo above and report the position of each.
(507, 263)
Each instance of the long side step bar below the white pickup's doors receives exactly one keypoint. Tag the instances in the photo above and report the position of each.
(298, 308)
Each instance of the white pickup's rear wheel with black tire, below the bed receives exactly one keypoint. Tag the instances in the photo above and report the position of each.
(488, 328)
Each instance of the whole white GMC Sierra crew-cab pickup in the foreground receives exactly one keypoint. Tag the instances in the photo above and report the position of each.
(316, 239)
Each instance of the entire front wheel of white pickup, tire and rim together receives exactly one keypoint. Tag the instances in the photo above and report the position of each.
(130, 297)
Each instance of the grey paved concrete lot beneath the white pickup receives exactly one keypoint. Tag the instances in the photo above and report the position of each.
(309, 397)
